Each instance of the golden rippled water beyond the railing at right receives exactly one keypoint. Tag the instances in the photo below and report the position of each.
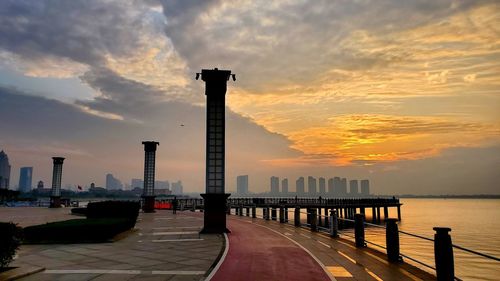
(474, 223)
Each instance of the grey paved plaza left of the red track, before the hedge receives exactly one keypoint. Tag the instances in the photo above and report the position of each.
(164, 247)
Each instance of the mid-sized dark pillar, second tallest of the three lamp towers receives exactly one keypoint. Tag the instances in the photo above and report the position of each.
(148, 193)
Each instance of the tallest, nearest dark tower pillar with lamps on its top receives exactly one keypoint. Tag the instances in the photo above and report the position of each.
(215, 197)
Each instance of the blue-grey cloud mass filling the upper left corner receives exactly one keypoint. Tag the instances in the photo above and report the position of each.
(83, 31)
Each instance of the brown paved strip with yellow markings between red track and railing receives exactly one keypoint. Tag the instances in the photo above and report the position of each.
(339, 256)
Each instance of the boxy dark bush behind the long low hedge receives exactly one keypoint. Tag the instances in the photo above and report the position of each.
(113, 209)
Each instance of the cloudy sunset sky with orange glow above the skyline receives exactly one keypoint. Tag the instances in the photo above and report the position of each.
(403, 93)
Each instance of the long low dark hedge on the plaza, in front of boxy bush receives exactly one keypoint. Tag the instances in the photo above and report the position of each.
(77, 230)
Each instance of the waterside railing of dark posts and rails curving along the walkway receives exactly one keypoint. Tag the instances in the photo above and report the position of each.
(332, 225)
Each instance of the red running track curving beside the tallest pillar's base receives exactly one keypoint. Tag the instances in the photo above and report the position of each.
(257, 253)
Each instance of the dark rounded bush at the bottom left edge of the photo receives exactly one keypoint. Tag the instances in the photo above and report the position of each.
(10, 238)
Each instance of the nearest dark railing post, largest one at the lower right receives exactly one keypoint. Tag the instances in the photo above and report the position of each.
(443, 254)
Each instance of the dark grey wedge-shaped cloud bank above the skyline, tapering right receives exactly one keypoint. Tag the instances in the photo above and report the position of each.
(38, 128)
